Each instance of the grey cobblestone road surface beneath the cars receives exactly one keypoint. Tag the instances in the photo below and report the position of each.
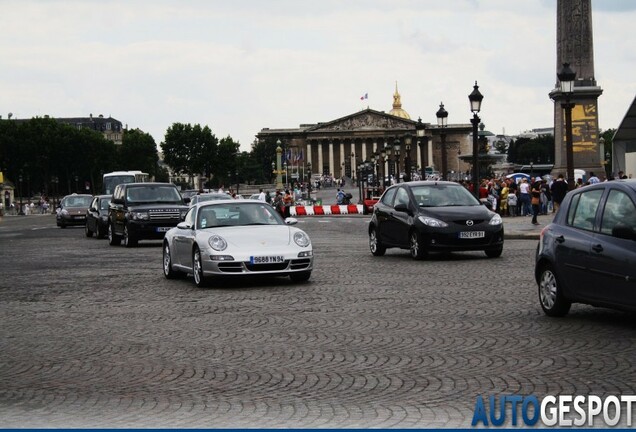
(94, 336)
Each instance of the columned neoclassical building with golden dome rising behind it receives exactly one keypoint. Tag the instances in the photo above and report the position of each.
(334, 147)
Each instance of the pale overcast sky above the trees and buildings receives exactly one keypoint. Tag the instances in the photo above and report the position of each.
(239, 66)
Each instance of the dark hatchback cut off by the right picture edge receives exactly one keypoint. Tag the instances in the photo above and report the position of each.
(588, 253)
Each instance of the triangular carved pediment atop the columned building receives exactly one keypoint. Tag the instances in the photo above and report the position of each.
(366, 120)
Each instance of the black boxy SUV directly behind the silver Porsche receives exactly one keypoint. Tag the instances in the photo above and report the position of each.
(144, 211)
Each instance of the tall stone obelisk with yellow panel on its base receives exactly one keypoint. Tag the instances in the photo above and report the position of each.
(575, 46)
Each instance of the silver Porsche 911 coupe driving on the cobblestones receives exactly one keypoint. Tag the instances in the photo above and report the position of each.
(236, 238)
